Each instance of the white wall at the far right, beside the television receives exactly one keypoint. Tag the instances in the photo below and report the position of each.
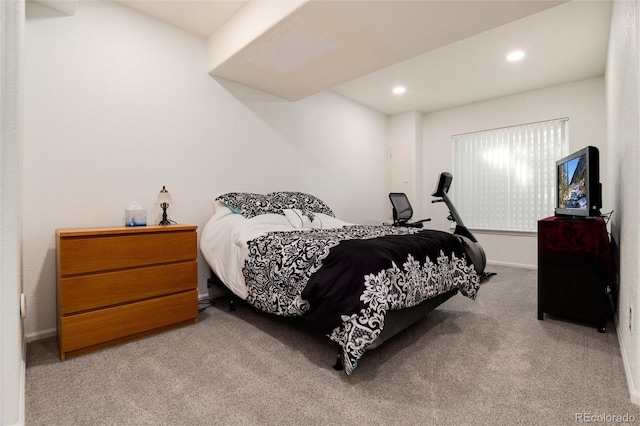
(623, 113)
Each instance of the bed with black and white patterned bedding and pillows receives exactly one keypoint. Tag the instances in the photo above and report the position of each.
(287, 254)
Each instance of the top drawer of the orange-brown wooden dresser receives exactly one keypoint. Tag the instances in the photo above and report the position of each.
(81, 255)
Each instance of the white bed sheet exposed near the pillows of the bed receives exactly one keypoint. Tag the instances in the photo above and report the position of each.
(224, 239)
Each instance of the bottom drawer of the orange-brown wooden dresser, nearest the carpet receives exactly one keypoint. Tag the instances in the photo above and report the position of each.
(97, 327)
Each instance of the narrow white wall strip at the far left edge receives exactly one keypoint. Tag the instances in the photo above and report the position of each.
(12, 342)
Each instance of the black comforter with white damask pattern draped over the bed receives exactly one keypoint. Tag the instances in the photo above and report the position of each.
(344, 280)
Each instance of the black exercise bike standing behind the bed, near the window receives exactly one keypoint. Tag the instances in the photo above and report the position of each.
(471, 246)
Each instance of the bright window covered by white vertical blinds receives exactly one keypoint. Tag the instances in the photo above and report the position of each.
(504, 179)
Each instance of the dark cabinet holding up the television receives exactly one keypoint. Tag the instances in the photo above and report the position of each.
(576, 270)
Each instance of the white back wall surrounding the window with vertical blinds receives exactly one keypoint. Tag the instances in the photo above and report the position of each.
(583, 102)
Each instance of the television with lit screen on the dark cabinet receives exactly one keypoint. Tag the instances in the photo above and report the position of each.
(579, 192)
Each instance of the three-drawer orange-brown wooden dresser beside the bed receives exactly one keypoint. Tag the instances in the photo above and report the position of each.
(121, 283)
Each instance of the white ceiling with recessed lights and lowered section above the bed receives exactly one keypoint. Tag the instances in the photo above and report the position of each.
(446, 53)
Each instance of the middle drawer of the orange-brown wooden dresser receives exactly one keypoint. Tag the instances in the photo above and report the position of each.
(86, 292)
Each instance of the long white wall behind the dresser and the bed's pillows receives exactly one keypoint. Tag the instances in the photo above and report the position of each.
(119, 104)
